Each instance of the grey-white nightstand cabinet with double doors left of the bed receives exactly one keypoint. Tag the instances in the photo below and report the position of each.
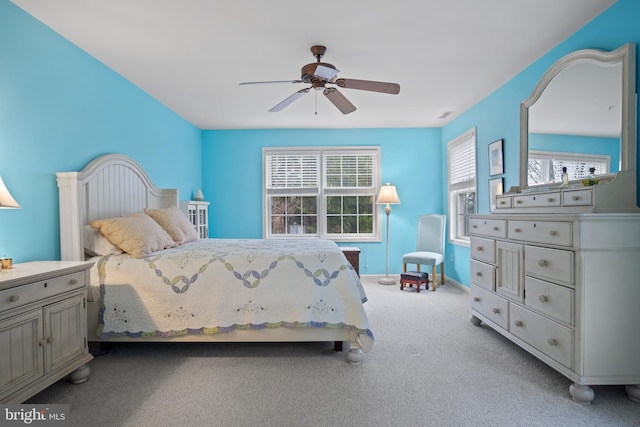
(43, 326)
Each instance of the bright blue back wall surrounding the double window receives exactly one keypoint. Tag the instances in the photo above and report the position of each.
(410, 161)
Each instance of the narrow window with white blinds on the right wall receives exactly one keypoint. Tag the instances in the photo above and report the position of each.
(461, 153)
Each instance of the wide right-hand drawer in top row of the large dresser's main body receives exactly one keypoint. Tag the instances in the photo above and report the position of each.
(549, 232)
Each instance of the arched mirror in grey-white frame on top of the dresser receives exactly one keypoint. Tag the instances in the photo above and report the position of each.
(581, 115)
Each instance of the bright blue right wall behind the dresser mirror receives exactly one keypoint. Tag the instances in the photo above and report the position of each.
(497, 116)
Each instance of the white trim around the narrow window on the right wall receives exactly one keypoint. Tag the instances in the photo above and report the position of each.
(454, 189)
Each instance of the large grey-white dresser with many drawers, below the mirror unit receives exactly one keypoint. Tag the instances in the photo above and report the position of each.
(566, 288)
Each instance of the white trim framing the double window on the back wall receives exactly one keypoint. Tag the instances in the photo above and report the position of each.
(322, 192)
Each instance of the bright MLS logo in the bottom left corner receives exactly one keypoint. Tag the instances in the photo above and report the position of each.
(36, 415)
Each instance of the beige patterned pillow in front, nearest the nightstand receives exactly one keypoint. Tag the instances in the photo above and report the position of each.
(137, 234)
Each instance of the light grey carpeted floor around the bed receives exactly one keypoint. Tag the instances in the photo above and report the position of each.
(429, 367)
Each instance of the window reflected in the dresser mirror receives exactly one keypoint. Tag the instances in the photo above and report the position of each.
(546, 167)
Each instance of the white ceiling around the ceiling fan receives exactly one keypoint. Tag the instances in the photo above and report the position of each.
(191, 55)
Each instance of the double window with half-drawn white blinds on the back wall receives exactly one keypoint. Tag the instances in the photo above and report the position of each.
(325, 192)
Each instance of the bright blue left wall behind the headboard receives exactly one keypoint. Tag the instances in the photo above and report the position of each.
(60, 108)
